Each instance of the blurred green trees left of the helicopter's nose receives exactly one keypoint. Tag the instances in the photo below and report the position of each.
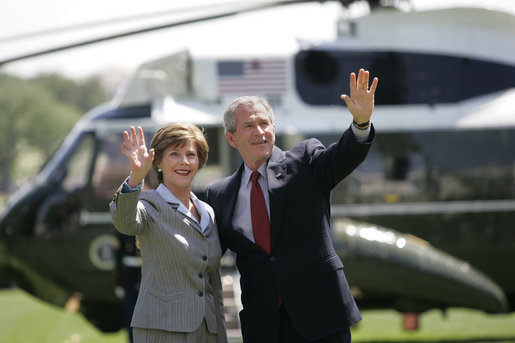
(35, 116)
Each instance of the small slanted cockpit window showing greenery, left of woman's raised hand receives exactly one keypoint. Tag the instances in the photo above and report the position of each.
(78, 165)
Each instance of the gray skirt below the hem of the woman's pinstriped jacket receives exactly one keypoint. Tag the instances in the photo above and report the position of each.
(201, 335)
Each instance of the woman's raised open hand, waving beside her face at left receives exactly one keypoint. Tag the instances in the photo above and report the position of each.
(134, 148)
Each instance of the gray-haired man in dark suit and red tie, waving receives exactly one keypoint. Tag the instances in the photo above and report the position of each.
(293, 285)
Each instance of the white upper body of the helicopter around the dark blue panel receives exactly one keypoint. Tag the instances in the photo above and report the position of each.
(478, 33)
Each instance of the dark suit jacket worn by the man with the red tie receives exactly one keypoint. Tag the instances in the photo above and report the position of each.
(303, 265)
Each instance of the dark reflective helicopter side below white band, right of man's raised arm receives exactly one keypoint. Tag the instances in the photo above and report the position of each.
(434, 166)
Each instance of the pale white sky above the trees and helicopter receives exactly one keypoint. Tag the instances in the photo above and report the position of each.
(259, 31)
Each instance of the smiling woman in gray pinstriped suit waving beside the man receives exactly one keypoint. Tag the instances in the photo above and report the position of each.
(180, 298)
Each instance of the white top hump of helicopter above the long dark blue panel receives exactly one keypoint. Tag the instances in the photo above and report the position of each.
(478, 32)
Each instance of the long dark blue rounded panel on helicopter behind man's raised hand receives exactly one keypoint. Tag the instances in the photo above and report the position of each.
(405, 78)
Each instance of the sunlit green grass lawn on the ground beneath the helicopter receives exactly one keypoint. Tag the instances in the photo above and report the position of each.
(25, 319)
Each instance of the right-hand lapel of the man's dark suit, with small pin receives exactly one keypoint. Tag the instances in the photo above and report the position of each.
(276, 176)
